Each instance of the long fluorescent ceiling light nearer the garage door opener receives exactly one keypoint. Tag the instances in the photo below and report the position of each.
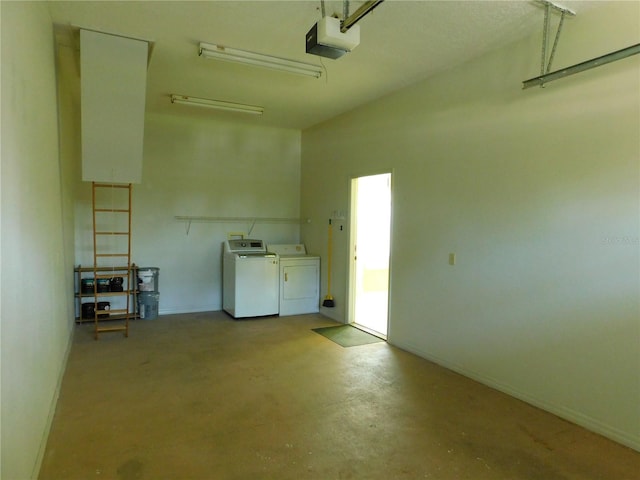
(219, 52)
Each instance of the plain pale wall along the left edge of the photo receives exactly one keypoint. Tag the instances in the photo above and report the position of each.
(37, 321)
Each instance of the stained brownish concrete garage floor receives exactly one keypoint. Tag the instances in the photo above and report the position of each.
(202, 396)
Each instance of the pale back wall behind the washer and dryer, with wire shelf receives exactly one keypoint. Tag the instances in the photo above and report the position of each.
(210, 167)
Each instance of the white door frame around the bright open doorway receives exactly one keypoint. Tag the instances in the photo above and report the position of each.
(351, 235)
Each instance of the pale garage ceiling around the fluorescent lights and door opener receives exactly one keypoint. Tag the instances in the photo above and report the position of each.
(401, 42)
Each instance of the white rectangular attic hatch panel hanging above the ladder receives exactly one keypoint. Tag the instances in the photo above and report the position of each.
(114, 81)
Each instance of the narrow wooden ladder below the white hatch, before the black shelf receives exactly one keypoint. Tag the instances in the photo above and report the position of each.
(112, 253)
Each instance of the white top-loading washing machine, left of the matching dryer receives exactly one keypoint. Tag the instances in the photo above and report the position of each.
(250, 276)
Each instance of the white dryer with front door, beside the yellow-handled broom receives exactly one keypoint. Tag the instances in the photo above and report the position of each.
(299, 279)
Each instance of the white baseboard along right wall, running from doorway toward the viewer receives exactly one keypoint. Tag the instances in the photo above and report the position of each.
(561, 411)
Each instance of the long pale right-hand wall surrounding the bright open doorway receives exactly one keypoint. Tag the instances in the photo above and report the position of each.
(536, 192)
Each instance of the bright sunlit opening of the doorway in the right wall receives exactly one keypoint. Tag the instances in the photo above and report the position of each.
(370, 251)
